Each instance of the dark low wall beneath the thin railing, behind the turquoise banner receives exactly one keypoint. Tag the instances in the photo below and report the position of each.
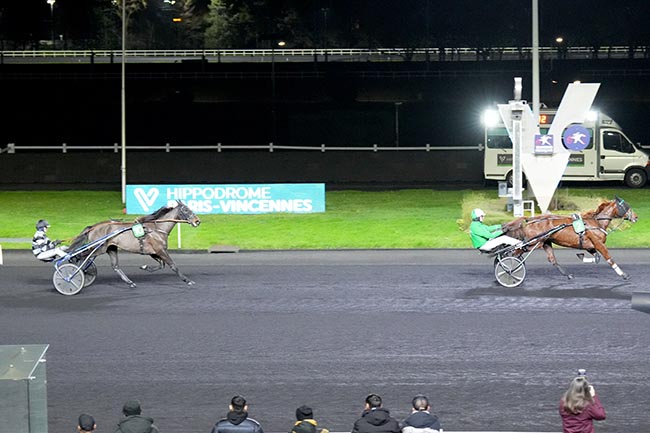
(332, 167)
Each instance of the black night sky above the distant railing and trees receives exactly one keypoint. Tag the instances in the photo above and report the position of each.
(390, 23)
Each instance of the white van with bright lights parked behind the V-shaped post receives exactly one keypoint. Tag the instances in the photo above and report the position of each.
(609, 156)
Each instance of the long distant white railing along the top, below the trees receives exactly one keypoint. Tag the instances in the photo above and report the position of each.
(350, 54)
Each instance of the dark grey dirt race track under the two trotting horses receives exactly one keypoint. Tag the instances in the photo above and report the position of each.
(326, 329)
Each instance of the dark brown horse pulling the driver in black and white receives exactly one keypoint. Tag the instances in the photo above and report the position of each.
(152, 240)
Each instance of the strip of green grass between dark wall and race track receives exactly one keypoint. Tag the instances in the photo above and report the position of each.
(415, 218)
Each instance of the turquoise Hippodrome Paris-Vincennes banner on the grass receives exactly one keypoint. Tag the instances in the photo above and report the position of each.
(229, 199)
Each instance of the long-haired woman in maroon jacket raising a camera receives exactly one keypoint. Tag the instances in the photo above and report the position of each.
(580, 406)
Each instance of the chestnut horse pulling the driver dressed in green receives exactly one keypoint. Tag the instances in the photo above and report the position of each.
(592, 239)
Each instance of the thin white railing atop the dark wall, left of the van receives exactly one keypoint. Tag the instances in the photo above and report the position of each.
(64, 148)
